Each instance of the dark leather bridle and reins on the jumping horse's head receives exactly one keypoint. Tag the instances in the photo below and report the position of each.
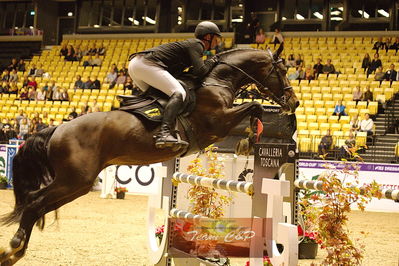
(283, 99)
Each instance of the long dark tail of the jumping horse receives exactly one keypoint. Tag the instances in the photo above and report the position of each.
(31, 169)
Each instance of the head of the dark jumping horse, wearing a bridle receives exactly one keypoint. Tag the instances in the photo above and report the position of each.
(275, 84)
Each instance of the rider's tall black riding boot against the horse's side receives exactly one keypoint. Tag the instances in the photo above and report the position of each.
(164, 137)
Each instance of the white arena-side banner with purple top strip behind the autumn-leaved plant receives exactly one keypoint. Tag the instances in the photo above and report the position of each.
(384, 174)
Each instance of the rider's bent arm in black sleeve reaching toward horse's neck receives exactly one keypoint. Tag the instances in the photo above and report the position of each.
(200, 68)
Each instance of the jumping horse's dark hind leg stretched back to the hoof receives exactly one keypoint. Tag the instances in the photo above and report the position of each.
(42, 201)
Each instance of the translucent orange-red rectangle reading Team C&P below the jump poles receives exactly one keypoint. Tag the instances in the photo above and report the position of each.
(216, 238)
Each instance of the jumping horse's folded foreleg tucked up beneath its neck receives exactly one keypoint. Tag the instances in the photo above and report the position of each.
(235, 115)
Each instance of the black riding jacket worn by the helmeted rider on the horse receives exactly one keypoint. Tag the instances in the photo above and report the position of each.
(177, 56)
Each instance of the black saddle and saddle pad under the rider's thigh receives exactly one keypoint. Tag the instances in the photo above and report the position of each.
(150, 105)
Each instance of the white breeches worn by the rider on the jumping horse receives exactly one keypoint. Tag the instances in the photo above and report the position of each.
(145, 74)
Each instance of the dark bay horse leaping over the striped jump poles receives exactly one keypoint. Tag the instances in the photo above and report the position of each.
(58, 165)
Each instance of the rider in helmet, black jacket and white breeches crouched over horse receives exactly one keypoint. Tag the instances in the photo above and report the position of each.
(157, 67)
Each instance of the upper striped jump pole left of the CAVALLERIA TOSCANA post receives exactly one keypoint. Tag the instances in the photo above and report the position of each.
(230, 185)
